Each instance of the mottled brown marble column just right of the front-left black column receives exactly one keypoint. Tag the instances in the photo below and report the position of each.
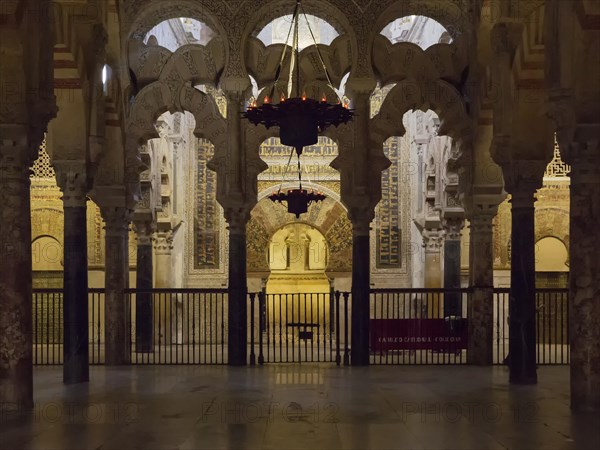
(116, 308)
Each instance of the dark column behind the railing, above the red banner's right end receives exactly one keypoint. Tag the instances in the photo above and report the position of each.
(452, 300)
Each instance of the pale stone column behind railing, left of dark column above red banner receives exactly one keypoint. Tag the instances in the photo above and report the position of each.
(432, 240)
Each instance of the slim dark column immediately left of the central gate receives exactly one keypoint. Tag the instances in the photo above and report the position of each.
(237, 290)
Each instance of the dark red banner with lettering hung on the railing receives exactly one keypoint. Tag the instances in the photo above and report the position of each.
(418, 334)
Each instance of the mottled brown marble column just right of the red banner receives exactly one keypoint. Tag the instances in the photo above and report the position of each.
(481, 280)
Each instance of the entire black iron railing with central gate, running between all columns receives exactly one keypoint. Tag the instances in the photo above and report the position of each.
(407, 326)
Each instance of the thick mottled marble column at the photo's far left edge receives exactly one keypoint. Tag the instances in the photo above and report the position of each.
(16, 375)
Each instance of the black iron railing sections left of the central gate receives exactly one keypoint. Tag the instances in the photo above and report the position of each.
(184, 326)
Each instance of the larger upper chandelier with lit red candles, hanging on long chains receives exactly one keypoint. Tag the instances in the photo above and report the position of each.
(300, 119)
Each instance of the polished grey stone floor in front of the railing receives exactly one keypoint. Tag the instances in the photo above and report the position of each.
(300, 407)
